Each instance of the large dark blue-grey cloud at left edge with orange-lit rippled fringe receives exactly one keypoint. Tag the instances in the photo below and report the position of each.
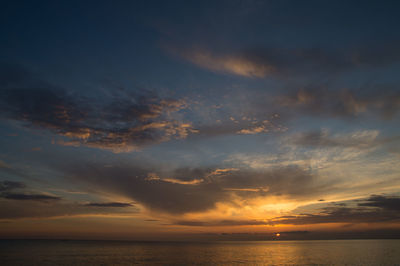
(121, 123)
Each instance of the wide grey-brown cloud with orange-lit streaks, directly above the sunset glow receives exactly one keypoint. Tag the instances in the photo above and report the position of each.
(188, 190)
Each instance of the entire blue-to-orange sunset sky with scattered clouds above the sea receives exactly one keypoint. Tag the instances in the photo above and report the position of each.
(154, 120)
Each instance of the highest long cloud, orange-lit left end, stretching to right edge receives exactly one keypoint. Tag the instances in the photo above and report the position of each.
(283, 62)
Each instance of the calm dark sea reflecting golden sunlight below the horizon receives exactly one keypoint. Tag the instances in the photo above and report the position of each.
(316, 252)
